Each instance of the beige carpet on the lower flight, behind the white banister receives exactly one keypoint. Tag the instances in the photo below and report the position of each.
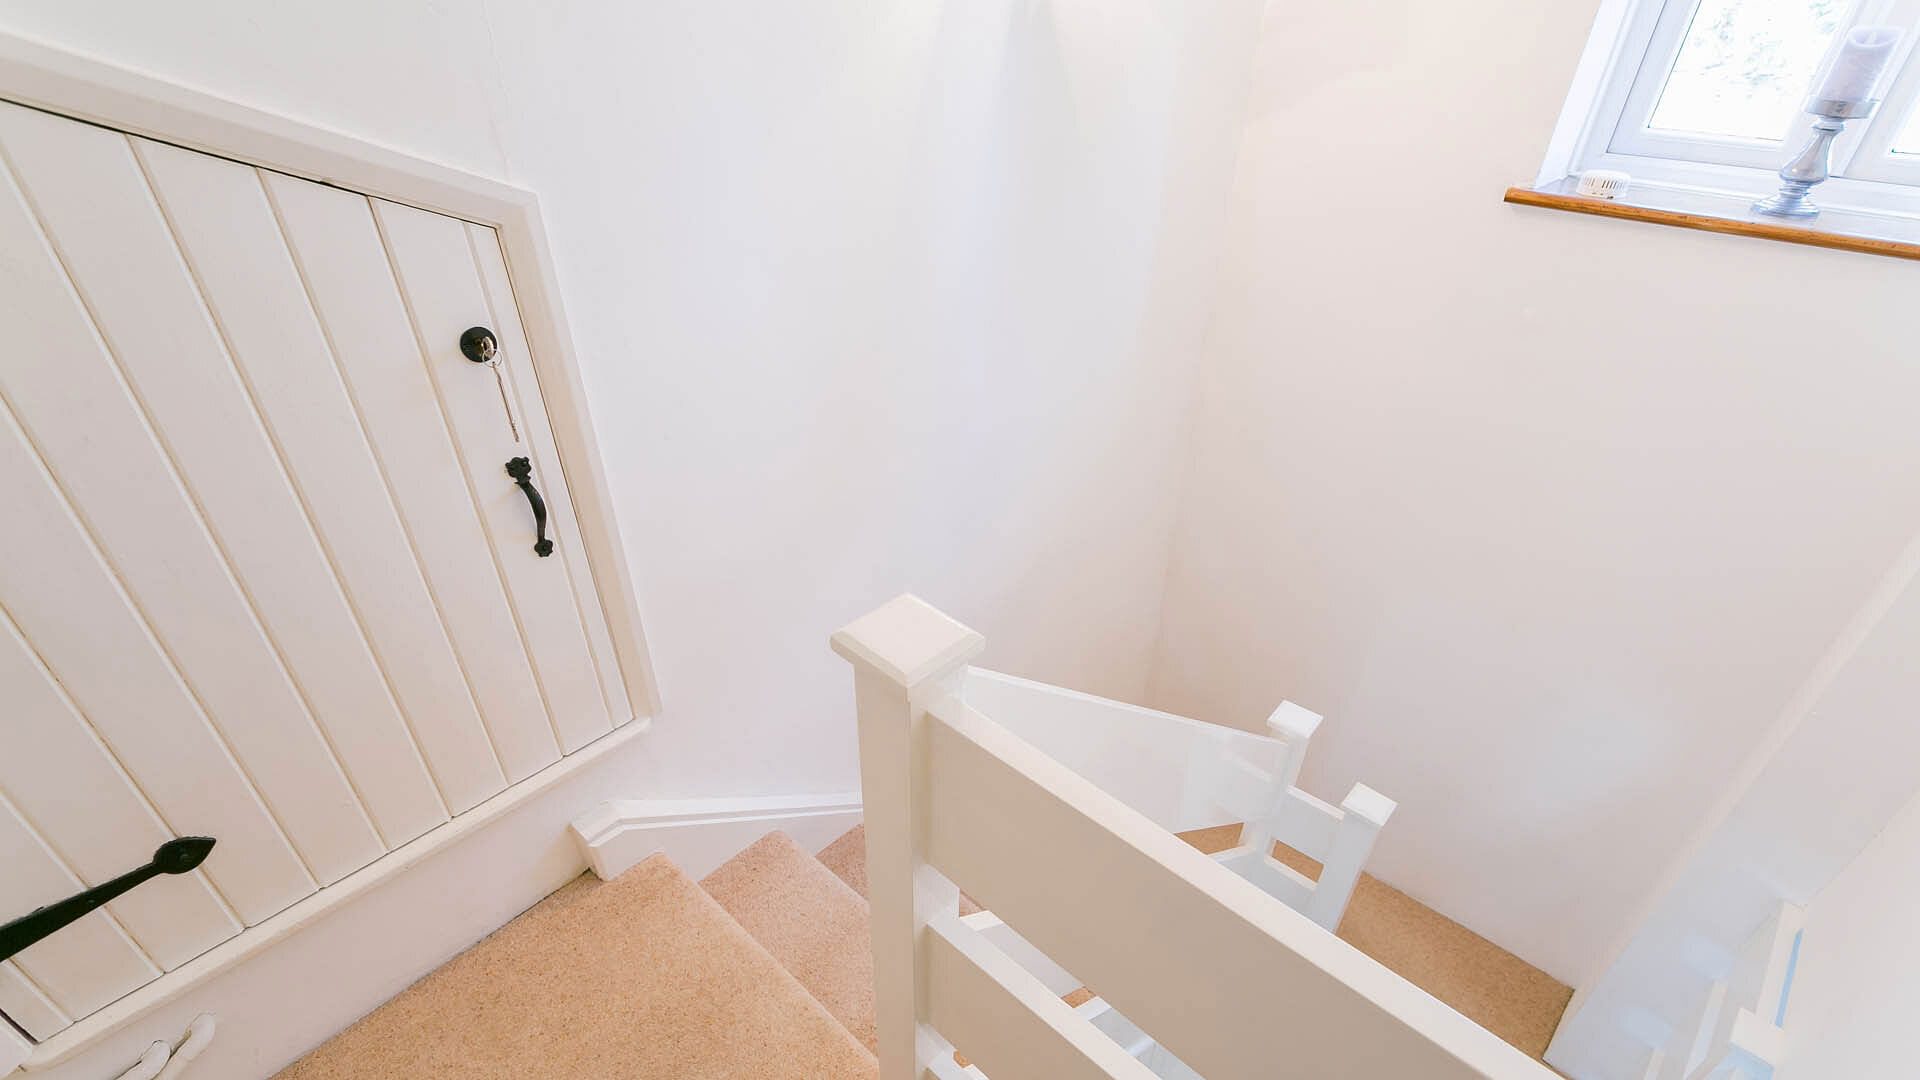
(1485, 983)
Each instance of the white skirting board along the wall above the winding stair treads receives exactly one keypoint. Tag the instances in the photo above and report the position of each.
(700, 835)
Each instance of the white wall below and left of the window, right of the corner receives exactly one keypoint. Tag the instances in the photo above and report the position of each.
(1547, 514)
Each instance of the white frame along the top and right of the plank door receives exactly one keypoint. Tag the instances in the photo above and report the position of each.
(93, 91)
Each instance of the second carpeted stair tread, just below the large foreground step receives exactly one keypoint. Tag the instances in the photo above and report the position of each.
(809, 920)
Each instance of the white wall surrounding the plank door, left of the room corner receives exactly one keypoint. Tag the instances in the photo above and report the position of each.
(871, 295)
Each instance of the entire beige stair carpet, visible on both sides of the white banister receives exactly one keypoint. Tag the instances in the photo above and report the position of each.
(767, 970)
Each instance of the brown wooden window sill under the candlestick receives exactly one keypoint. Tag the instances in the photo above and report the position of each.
(1846, 232)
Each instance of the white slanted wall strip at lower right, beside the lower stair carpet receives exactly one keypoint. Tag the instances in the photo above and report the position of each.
(1810, 800)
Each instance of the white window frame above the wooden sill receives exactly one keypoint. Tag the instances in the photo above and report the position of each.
(1631, 59)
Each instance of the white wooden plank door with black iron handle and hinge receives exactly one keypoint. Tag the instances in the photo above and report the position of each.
(268, 577)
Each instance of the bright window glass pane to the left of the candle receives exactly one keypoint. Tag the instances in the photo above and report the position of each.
(1746, 66)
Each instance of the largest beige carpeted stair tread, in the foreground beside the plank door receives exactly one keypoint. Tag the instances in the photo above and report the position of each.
(638, 979)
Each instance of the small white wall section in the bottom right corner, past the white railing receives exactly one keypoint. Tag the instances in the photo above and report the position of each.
(1856, 993)
